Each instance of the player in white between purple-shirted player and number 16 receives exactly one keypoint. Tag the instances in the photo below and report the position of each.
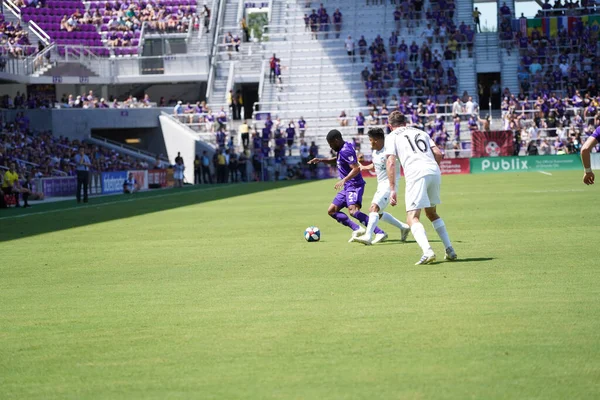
(382, 197)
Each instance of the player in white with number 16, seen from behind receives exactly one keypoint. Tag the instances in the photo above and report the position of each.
(420, 159)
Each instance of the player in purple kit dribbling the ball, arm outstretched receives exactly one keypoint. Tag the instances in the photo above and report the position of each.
(351, 187)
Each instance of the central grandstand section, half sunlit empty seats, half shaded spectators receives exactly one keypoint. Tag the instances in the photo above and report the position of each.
(362, 60)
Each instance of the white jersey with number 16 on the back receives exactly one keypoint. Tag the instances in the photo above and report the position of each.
(413, 147)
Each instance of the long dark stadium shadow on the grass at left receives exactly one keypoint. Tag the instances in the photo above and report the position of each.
(52, 217)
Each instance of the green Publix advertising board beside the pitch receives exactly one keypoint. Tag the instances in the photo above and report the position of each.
(525, 164)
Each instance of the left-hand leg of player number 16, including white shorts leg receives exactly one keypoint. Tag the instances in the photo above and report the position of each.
(416, 199)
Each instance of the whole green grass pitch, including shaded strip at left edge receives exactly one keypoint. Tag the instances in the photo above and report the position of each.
(214, 294)
